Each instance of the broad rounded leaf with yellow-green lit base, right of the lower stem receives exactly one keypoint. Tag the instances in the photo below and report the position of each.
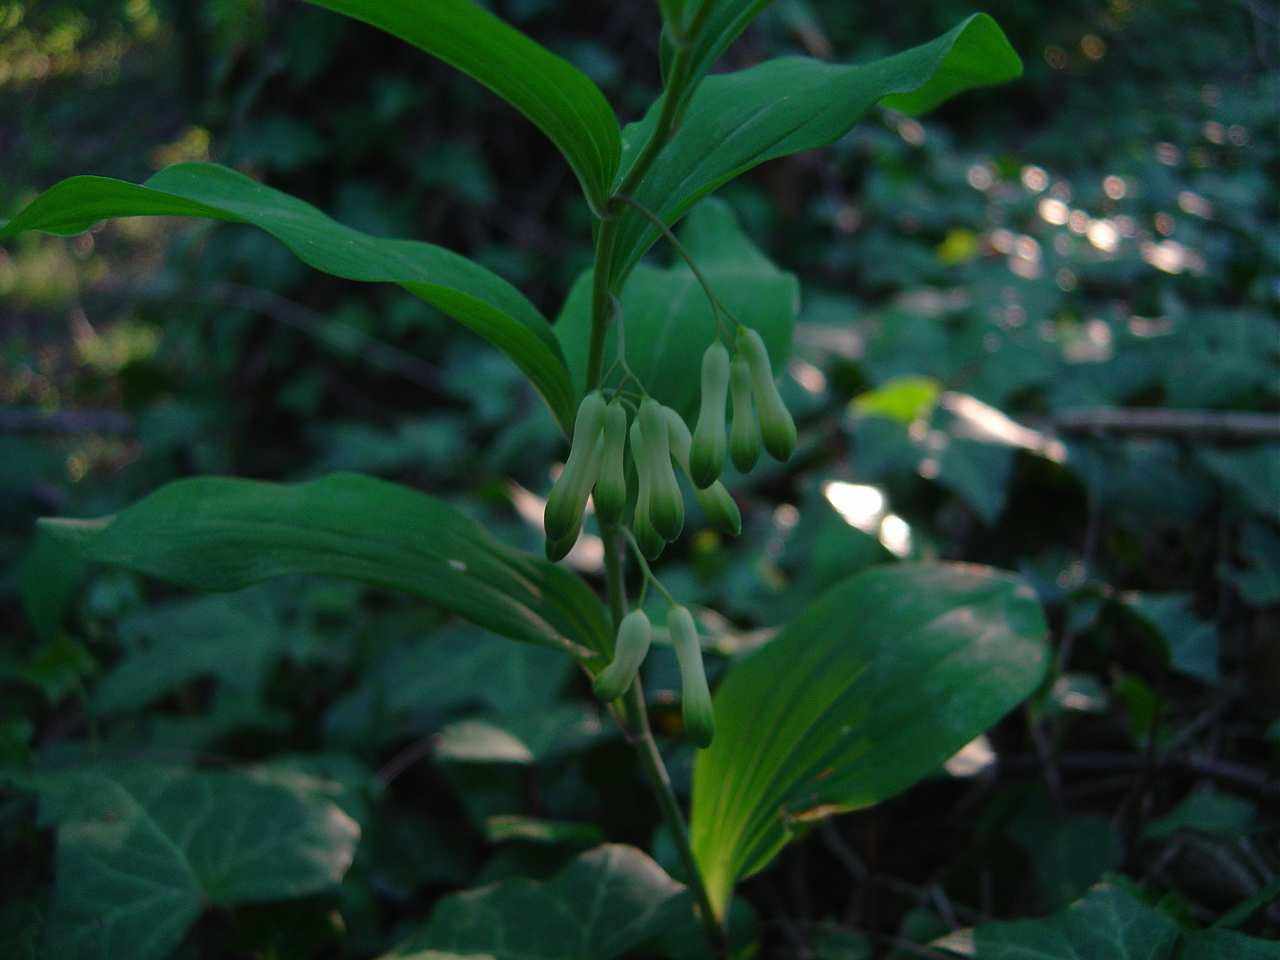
(879, 683)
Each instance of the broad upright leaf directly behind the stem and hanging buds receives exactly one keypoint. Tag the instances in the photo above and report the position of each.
(668, 319)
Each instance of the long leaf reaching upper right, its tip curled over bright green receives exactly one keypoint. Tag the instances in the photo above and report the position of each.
(783, 107)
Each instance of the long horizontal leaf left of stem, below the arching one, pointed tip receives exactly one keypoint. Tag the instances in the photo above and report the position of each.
(223, 534)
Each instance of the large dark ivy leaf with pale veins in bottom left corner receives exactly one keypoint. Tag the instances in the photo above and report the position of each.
(141, 854)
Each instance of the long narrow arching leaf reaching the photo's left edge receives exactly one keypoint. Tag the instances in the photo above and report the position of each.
(459, 287)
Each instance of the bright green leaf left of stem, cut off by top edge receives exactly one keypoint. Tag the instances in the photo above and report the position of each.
(559, 98)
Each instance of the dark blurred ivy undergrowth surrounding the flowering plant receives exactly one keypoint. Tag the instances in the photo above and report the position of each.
(1101, 234)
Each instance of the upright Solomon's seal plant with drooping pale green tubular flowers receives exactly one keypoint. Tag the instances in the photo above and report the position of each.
(661, 392)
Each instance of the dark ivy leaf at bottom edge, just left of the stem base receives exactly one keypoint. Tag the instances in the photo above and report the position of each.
(600, 907)
